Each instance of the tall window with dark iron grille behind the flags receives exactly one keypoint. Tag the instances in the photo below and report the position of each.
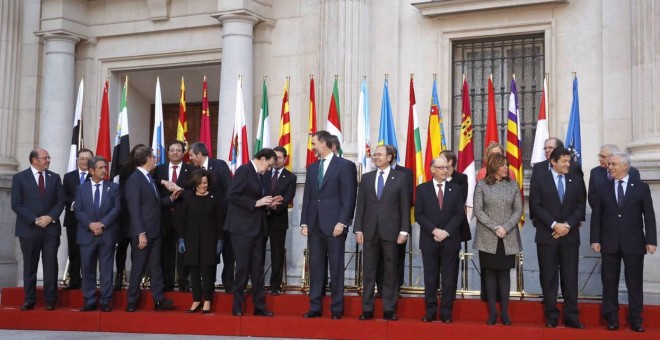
(502, 57)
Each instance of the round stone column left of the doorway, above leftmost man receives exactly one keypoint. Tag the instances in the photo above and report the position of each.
(57, 99)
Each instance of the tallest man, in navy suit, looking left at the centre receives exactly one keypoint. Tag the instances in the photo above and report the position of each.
(327, 212)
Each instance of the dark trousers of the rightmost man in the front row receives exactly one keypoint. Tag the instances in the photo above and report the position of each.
(634, 275)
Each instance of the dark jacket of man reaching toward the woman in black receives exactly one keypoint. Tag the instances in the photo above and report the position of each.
(144, 204)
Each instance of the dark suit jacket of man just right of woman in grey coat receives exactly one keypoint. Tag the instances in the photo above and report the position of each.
(546, 207)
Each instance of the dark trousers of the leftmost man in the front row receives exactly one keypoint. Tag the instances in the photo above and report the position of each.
(32, 248)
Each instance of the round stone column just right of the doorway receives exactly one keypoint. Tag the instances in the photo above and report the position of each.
(237, 59)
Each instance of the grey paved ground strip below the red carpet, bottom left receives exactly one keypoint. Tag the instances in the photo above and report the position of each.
(57, 335)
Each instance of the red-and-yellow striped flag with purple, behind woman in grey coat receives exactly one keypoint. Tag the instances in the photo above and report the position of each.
(513, 143)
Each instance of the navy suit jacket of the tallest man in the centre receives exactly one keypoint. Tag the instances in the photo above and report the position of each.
(334, 201)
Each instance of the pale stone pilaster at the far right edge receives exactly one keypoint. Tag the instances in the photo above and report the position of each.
(645, 147)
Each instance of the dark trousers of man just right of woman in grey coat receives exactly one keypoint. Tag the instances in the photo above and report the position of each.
(555, 261)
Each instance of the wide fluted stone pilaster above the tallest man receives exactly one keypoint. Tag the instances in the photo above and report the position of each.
(346, 31)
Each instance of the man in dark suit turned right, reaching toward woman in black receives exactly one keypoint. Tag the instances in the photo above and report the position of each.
(144, 207)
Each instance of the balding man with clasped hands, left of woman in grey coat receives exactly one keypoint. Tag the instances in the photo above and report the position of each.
(439, 211)
